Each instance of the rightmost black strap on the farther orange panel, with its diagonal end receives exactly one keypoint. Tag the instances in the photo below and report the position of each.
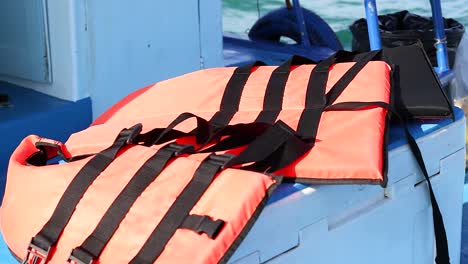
(316, 100)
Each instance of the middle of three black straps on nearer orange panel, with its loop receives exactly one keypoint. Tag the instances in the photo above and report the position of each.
(92, 247)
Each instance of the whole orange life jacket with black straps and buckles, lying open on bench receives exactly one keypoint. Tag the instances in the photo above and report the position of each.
(185, 188)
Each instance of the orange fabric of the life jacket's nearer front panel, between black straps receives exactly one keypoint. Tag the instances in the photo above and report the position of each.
(25, 212)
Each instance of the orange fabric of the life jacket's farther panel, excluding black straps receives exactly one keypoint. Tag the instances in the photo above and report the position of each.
(349, 144)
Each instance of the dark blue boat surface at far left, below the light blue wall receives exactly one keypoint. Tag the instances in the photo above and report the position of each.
(32, 112)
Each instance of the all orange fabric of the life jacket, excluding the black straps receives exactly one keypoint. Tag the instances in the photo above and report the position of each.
(348, 148)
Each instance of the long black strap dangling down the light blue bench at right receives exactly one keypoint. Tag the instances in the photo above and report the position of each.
(442, 251)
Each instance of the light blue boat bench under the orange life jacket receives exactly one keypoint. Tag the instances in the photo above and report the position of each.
(330, 224)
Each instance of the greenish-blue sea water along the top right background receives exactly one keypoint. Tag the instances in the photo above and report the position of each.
(239, 16)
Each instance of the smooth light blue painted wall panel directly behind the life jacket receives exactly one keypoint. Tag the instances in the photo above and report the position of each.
(134, 44)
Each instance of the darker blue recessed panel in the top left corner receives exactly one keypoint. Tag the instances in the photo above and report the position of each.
(23, 40)
